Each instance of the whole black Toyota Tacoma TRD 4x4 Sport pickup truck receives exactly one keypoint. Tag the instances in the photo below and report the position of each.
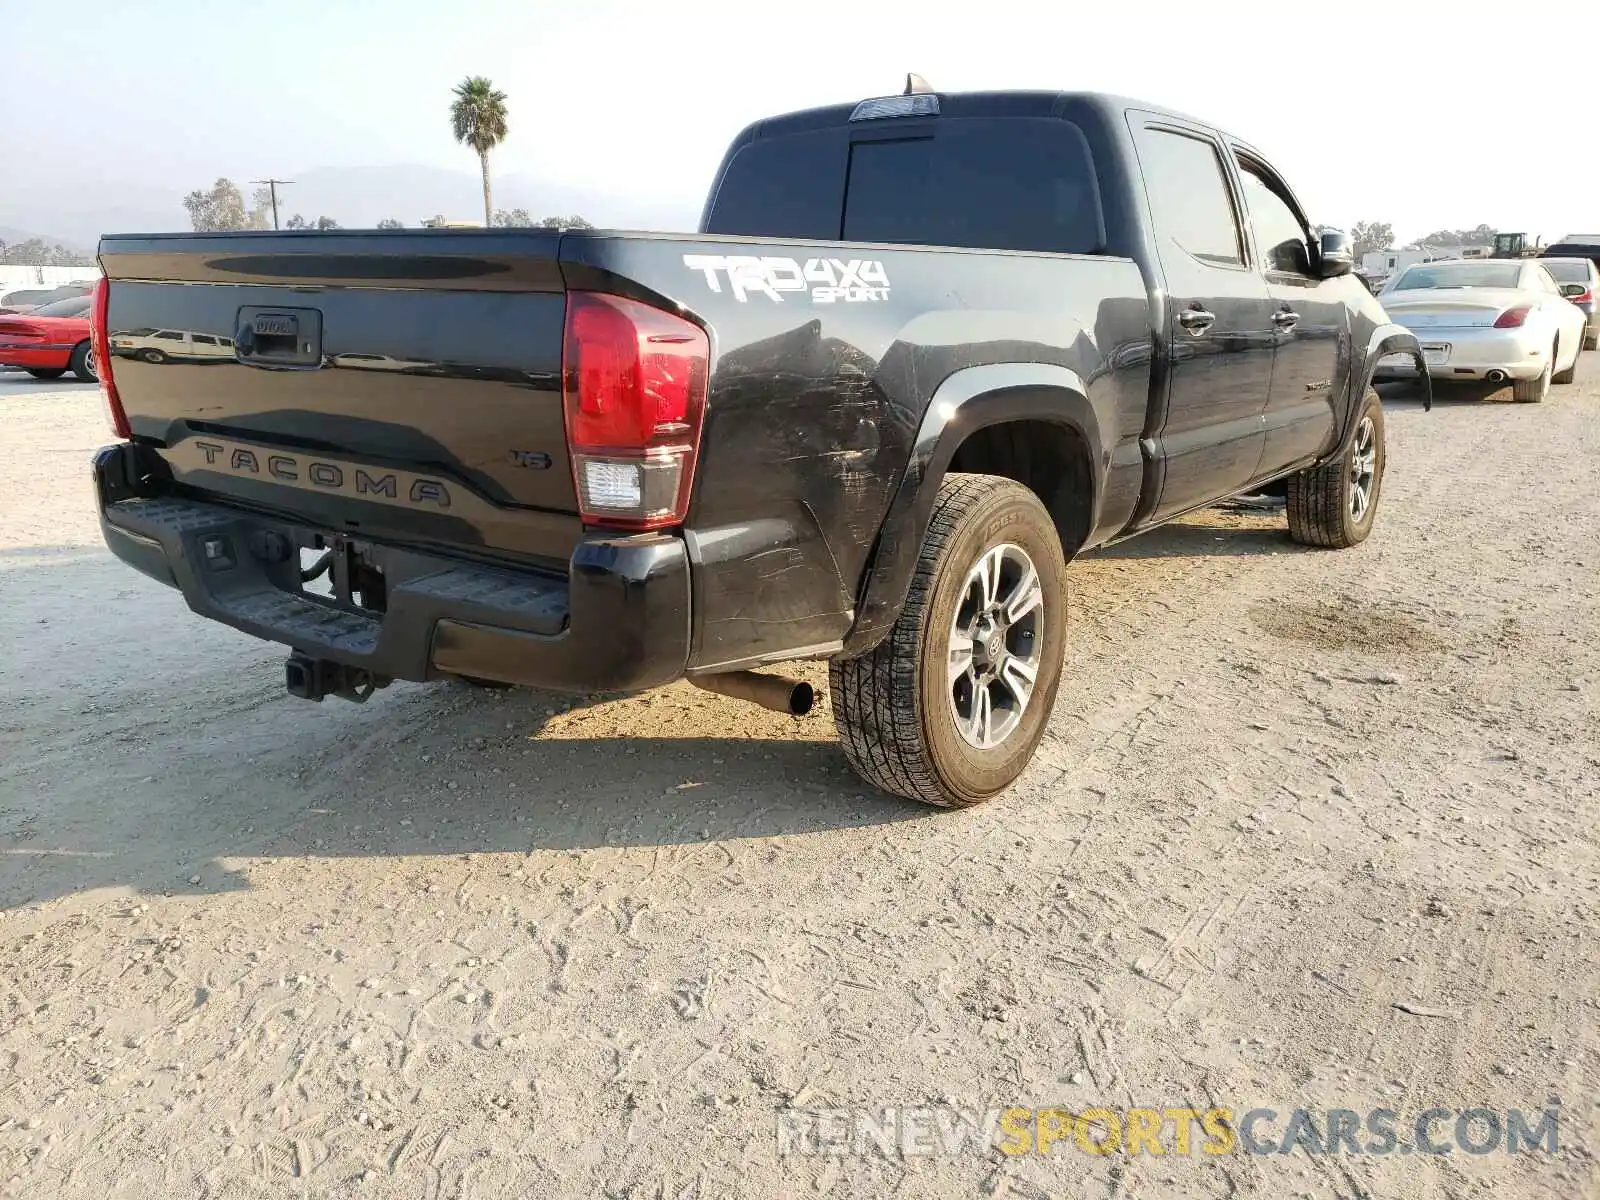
(922, 353)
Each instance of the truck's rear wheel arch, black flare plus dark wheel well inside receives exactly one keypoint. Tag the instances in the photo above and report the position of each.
(1014, 420)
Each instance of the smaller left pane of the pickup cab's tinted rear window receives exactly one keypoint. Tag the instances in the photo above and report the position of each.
(791, 186)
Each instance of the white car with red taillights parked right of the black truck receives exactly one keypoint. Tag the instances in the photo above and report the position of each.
(1494, 321)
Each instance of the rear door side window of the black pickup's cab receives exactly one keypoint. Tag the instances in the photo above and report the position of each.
(1190, 196)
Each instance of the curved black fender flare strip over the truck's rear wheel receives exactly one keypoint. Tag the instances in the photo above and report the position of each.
(967, 401)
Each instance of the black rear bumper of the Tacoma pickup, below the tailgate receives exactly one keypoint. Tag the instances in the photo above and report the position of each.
(618, 622)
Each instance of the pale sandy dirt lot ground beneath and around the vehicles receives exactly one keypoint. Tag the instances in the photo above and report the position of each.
(470, 945)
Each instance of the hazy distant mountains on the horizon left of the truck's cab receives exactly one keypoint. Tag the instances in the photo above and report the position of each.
(353, 196)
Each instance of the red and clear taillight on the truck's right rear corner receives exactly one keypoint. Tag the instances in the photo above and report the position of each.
(634, 390)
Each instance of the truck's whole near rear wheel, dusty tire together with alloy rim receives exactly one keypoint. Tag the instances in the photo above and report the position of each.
(950, 708)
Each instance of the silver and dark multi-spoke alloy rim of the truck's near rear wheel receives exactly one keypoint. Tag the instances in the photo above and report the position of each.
(998, 639)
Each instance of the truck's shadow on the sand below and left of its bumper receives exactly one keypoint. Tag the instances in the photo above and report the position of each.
(423, 774)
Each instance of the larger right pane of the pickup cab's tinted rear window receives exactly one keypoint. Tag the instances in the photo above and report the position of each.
(993, 185)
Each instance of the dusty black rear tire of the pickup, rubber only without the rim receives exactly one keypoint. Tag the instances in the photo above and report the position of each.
(892, 706)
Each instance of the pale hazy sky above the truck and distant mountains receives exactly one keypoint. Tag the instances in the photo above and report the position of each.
(1412, 111)
